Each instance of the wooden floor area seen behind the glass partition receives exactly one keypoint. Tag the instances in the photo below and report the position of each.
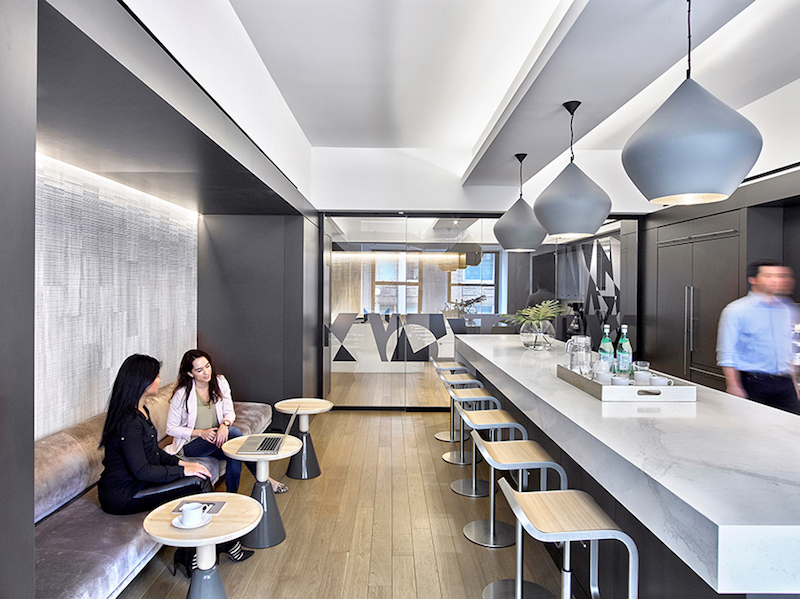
(412, 390)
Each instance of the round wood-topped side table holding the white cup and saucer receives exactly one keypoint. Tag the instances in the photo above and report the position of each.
(240, 515)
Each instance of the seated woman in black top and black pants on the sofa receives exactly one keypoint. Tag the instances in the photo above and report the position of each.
(139, 475)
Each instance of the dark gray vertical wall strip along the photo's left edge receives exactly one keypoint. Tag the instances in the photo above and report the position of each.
(17, 192)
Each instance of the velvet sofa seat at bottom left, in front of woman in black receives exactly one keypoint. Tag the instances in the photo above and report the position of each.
(84, 552)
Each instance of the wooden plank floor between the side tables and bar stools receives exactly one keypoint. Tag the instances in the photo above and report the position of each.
(380, 522)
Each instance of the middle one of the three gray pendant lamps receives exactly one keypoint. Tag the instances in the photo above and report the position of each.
(573, 204)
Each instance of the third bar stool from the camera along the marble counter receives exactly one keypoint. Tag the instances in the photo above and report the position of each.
(494, 420)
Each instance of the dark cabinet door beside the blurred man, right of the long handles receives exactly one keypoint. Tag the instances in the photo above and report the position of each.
(715, 277)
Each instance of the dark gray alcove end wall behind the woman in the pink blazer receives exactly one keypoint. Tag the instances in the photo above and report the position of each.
(257, 304)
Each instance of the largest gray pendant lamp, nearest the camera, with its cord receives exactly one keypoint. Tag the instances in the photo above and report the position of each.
(694, 149)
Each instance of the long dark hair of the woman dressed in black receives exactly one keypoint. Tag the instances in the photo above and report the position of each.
(135, 375)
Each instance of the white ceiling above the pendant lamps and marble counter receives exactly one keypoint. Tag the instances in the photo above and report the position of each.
(469, 83)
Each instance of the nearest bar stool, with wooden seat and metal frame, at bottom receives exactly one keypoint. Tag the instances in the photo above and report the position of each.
(562, 517)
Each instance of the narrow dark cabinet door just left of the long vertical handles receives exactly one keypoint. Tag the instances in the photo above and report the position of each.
(674, 276)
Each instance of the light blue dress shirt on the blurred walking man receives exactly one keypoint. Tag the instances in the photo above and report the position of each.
(755, 334)
